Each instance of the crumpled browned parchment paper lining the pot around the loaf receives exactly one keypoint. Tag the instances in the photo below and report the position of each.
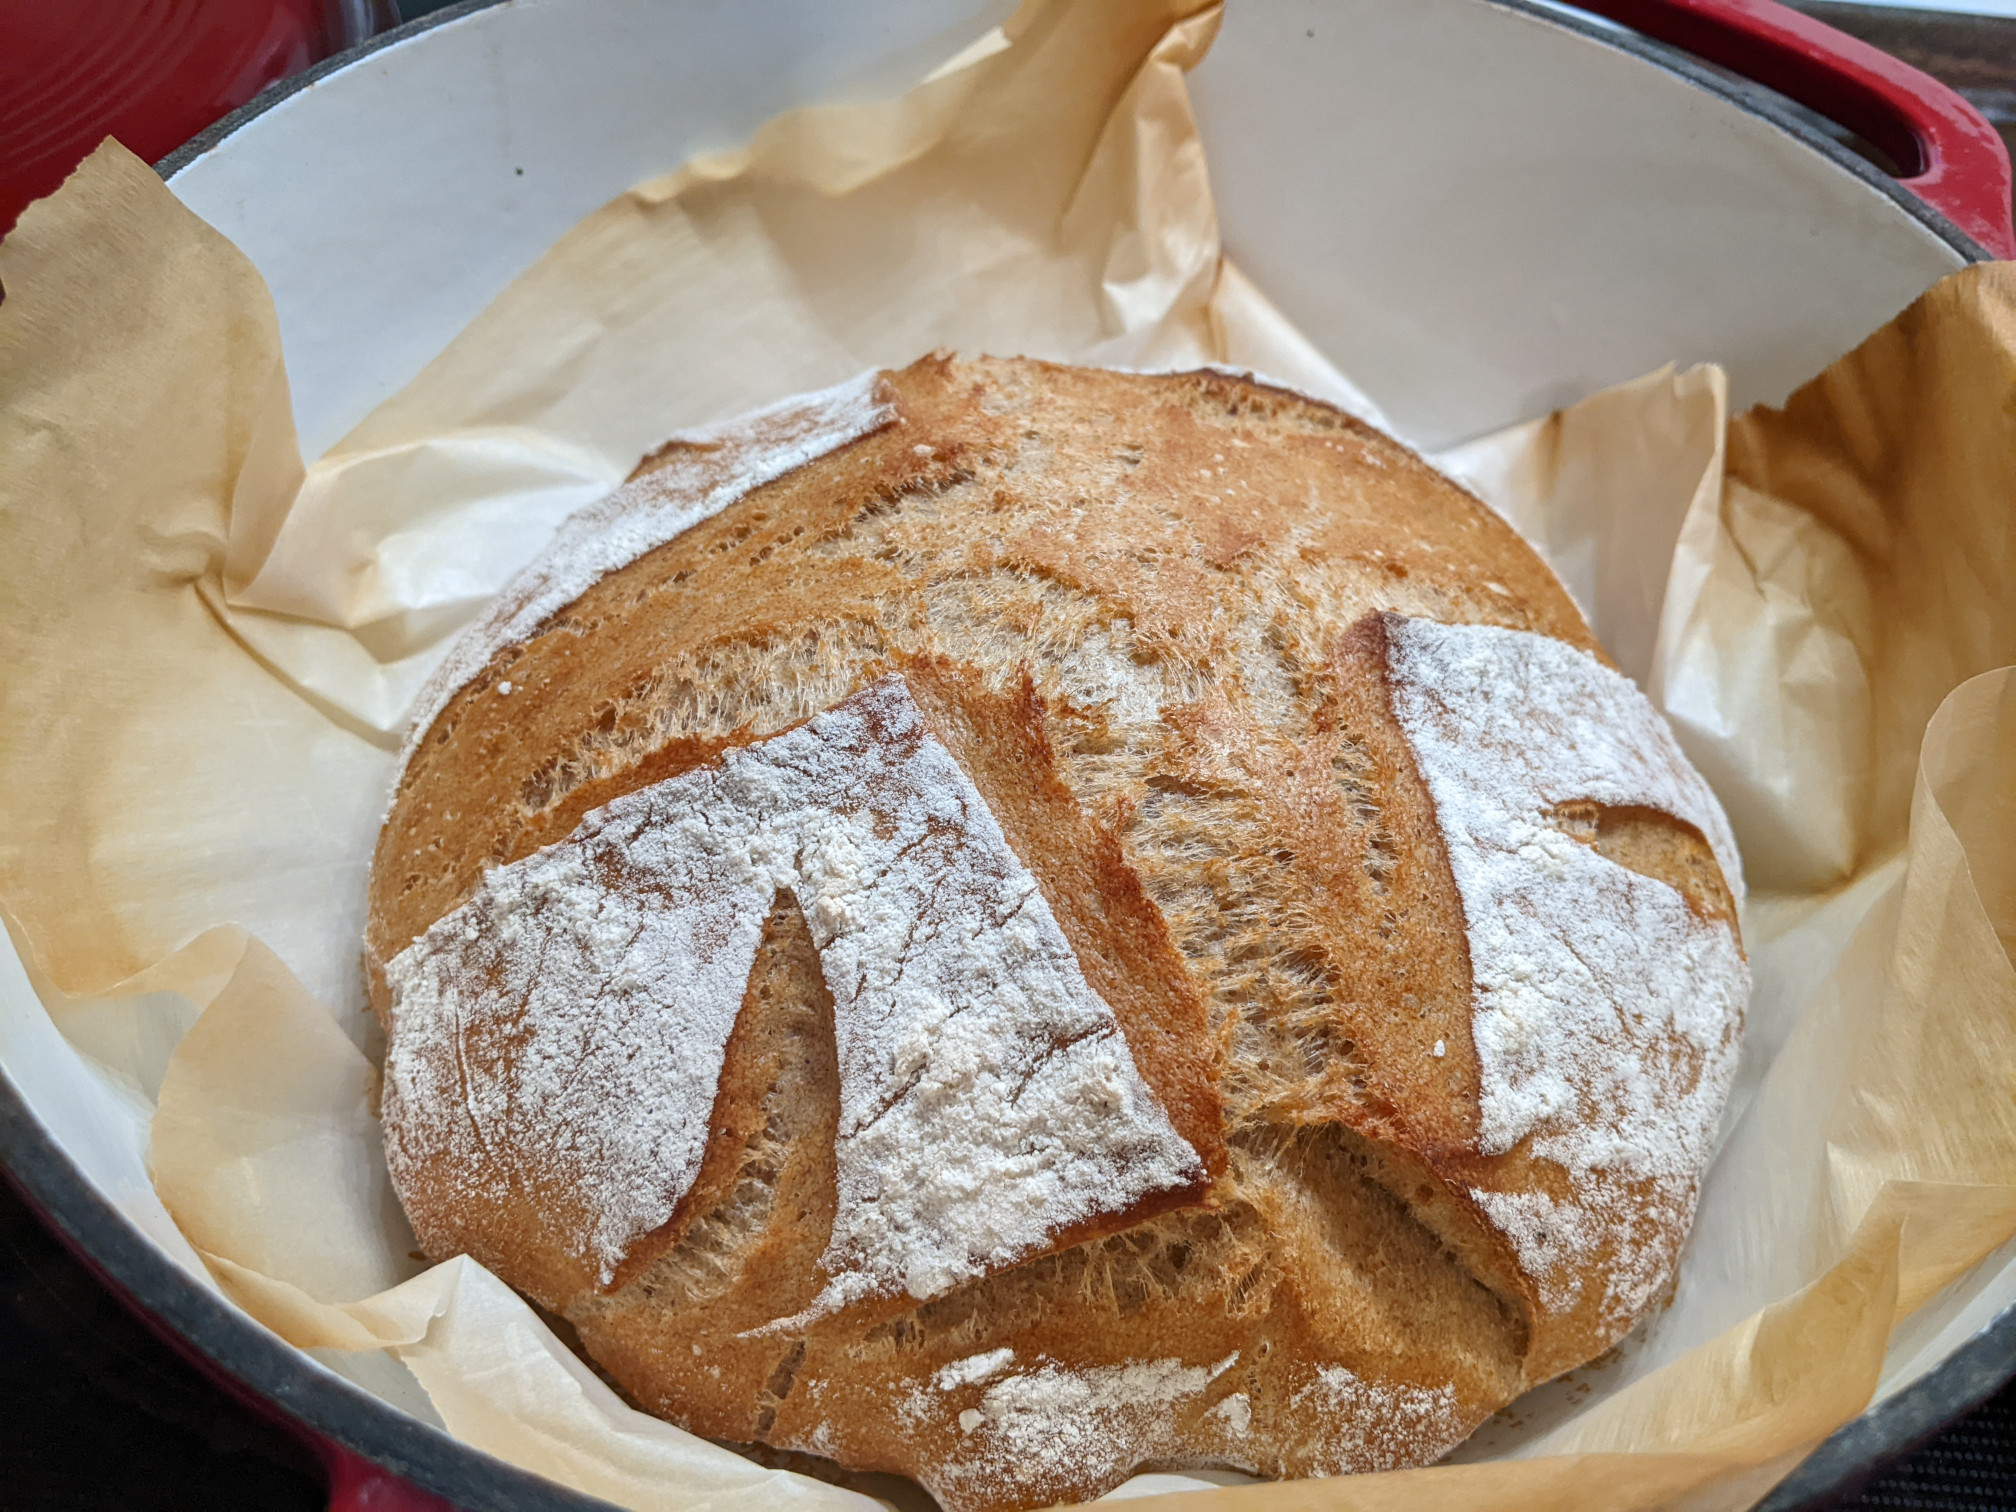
(211, 652)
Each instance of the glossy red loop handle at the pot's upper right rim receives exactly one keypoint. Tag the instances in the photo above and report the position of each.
(1950, 156)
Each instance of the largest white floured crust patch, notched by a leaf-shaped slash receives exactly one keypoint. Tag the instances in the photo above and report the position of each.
(568, 1025)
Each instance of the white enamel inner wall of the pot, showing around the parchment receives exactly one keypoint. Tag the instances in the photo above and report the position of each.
(1479, 209)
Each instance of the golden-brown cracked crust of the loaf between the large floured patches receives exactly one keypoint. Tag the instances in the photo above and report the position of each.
(1150, 618)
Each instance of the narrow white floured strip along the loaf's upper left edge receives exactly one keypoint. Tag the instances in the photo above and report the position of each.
(717, 467)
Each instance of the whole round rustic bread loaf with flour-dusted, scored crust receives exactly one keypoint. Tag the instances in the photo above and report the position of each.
(1017, 924)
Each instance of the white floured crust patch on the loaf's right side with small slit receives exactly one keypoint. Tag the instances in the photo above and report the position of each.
(1606, 1011)
